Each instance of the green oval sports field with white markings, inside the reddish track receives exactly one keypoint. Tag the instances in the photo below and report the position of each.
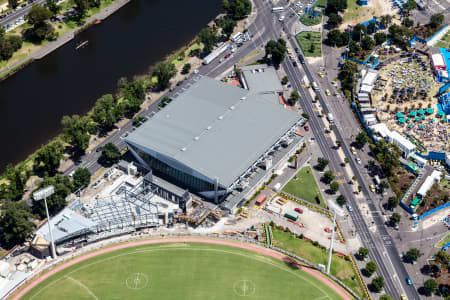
(182, 270)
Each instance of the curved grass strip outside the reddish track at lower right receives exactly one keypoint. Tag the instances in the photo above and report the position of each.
(340, 268)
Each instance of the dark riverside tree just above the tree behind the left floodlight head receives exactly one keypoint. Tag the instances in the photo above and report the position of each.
(47, 158)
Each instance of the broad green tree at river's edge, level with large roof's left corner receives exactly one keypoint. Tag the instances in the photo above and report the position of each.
(76, 131)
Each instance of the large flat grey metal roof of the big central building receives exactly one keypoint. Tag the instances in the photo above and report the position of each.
(215, 129)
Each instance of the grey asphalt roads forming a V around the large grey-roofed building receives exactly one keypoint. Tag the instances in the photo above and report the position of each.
(264, 27)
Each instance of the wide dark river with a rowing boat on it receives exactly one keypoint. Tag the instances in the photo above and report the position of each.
(69, 81)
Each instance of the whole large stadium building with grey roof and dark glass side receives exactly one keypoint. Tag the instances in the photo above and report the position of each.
(217, 140)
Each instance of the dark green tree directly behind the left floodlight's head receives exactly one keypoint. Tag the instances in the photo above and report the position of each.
(57, 201)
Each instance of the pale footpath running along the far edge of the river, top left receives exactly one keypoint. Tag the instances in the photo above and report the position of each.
(50, 47)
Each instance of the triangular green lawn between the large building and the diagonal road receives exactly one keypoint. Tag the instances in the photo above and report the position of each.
(305, 187)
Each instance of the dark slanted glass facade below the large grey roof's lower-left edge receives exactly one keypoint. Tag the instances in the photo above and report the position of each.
(175, 176)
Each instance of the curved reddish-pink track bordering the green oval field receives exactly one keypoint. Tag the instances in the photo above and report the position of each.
(267, 252)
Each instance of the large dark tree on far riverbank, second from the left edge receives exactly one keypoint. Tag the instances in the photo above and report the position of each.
(38, 17)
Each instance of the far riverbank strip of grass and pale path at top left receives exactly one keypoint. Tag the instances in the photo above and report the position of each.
(48, 47)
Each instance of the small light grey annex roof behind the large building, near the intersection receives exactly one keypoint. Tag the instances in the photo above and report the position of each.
(261, 79)
